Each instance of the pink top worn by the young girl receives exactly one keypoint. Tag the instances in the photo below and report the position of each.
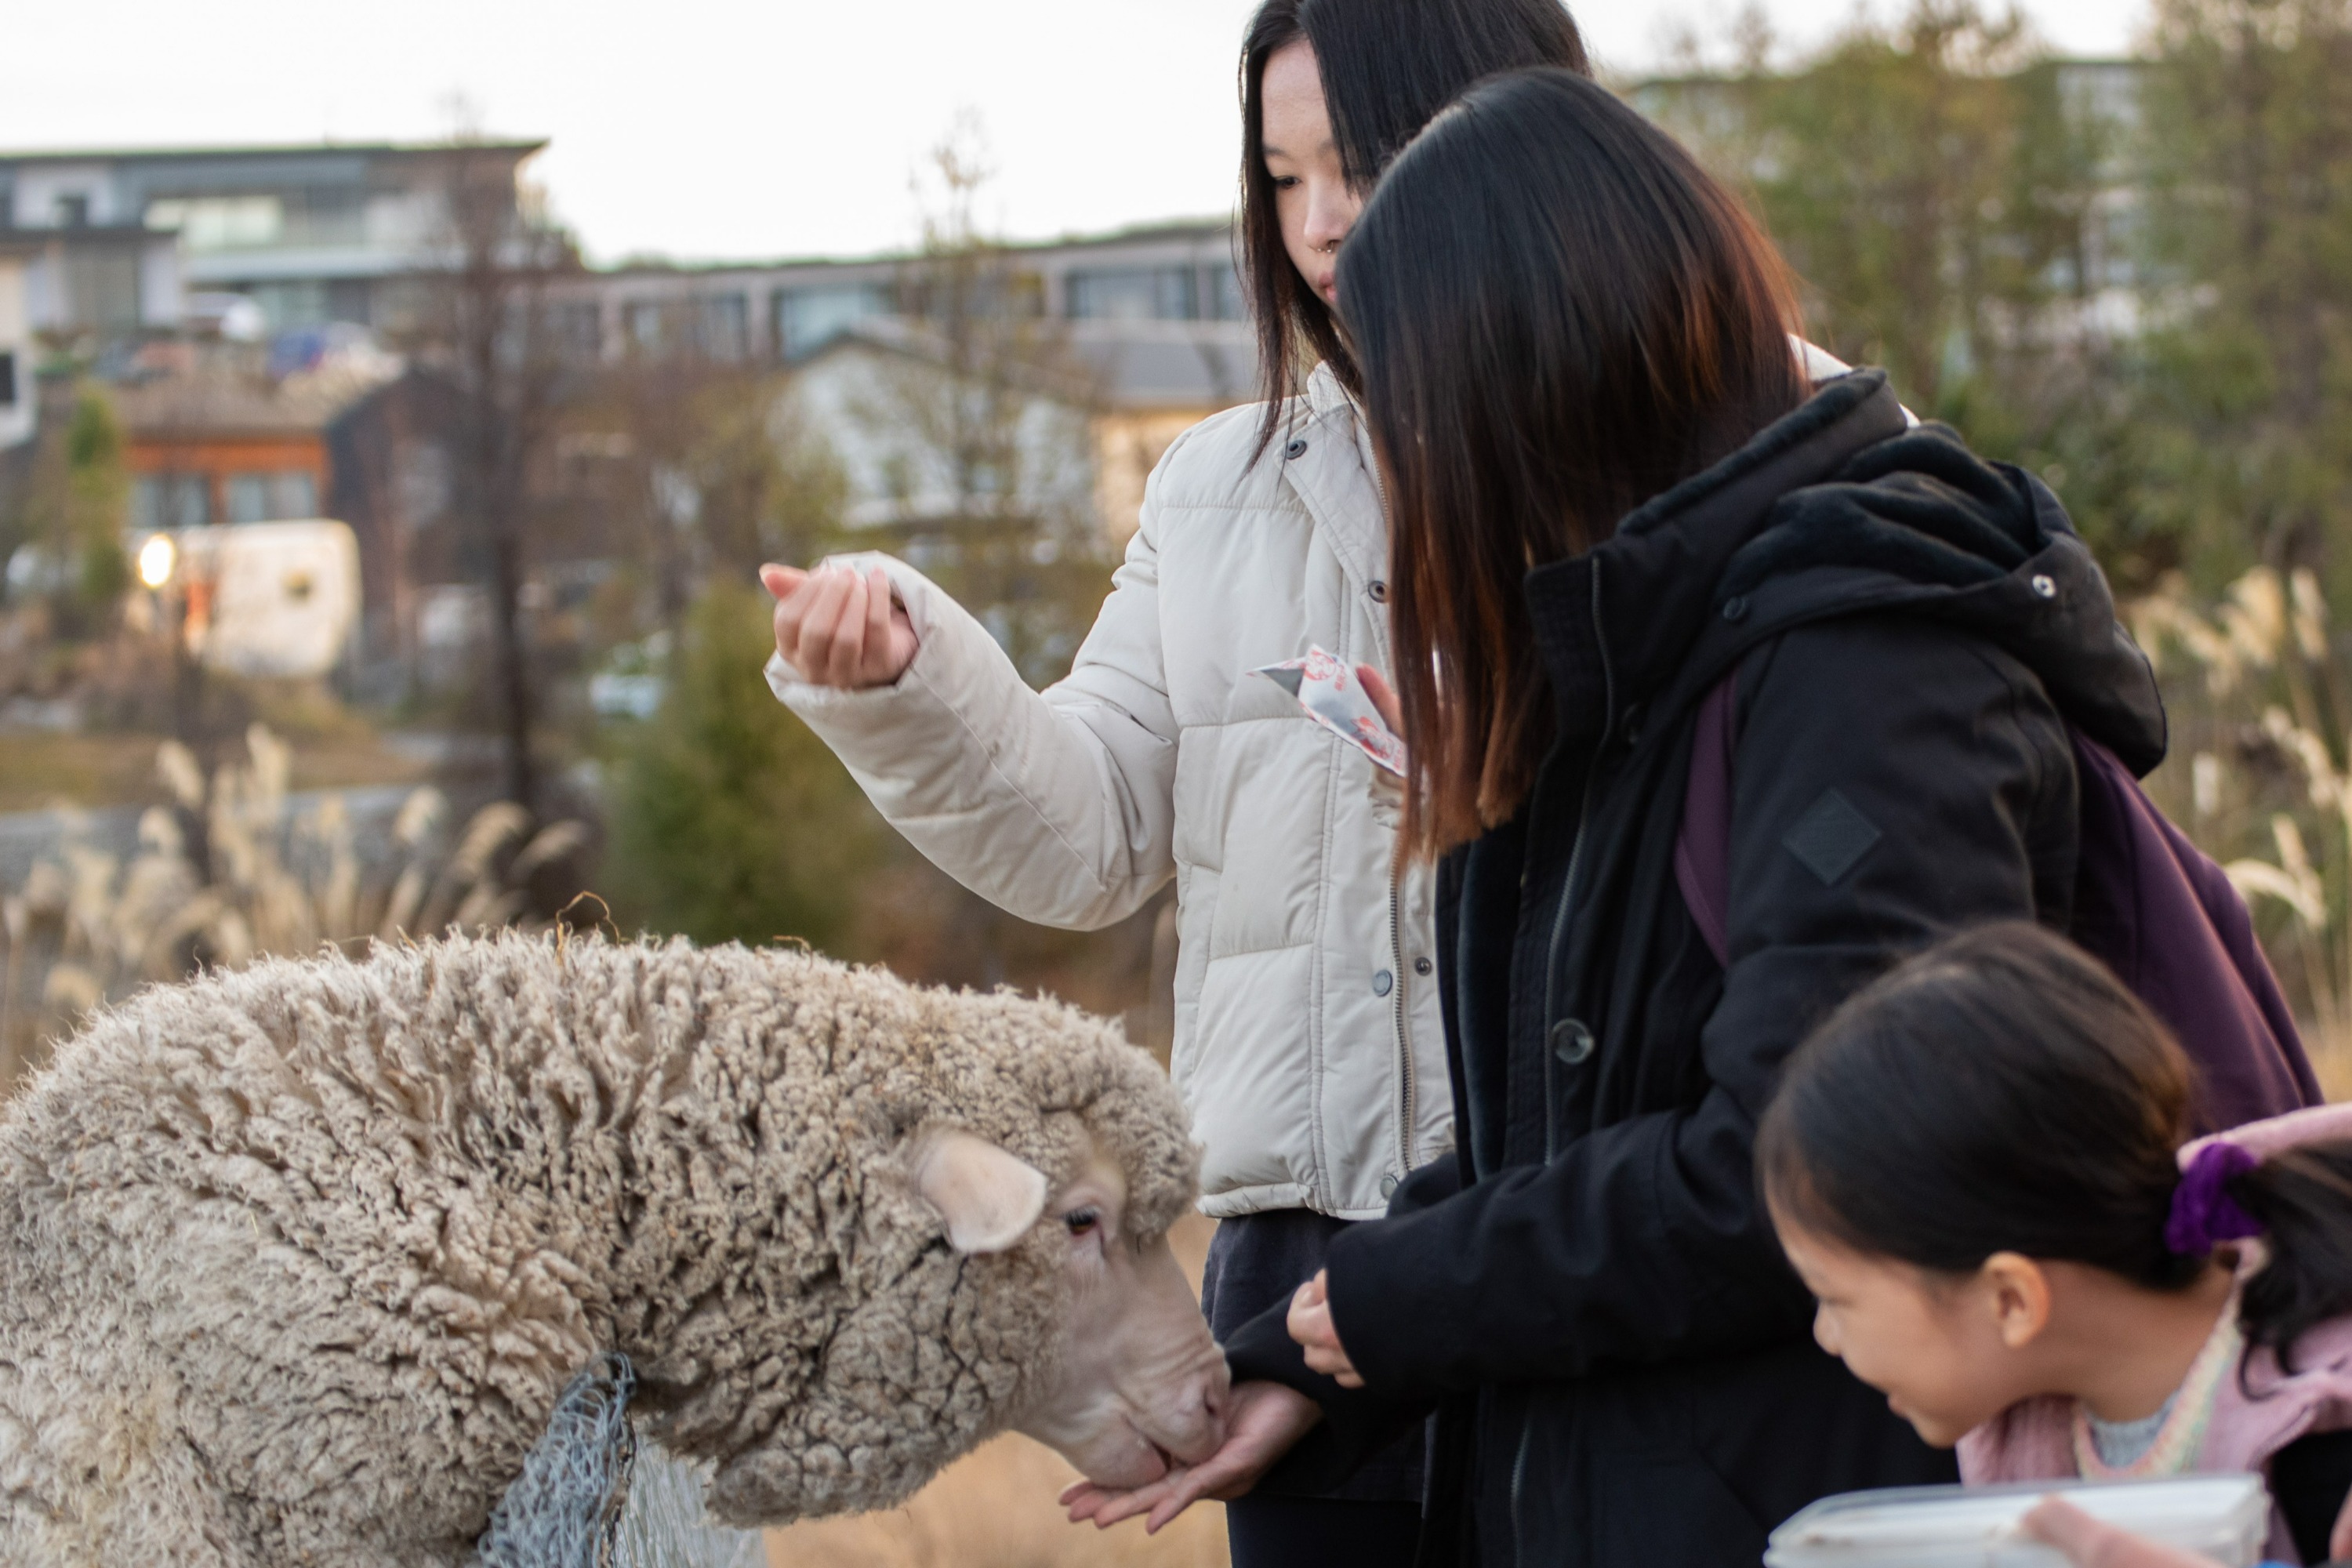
(2036, 1440)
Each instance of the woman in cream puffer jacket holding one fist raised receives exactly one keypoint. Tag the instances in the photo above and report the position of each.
(1309, 1040)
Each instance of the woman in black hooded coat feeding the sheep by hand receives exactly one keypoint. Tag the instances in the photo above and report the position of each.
(1619, 507)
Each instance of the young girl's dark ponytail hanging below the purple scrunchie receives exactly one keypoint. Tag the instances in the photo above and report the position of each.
(2301, 1198)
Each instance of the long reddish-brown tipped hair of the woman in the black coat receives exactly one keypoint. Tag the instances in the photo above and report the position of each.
(1556, 314)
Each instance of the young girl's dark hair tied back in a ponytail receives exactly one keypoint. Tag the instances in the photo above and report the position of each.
(2005, 1094)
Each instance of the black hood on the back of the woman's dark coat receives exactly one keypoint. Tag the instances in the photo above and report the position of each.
(1840, 509)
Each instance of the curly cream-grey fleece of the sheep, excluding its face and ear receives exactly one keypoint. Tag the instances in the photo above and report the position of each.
(298, 1259)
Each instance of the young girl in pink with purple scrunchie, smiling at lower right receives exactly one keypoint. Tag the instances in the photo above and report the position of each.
(1977, 1167)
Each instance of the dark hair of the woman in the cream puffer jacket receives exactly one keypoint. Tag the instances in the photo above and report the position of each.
(1387, 69)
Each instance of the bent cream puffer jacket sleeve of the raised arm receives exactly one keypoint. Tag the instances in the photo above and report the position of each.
(1060, 805)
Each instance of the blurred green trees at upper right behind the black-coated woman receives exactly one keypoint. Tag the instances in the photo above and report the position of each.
(2132, 279)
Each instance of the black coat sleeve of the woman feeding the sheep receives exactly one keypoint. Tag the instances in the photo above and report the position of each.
(1895, 782)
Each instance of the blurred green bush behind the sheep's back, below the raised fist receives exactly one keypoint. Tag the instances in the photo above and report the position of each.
(730, 819)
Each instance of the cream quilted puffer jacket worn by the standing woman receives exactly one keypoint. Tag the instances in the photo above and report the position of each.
(1309, 1038)
